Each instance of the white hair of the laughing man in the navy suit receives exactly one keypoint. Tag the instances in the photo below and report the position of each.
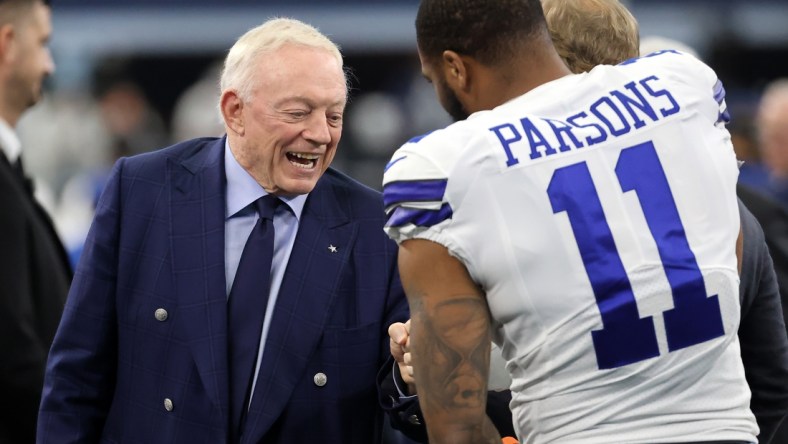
(240, 64)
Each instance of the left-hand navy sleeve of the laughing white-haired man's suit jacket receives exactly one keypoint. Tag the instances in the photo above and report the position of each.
(80, 377)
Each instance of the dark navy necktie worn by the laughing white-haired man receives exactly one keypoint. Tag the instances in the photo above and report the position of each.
(247, 304)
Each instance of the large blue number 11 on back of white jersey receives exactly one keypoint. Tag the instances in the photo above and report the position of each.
(626, 337)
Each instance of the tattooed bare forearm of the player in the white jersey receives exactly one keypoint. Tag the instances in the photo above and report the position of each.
(451, 347)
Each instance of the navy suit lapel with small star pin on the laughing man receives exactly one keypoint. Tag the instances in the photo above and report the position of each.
(303, 305)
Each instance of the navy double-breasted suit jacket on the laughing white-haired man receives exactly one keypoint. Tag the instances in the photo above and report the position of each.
(117, 373)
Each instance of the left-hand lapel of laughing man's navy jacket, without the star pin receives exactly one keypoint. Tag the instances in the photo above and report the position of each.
(197, 207)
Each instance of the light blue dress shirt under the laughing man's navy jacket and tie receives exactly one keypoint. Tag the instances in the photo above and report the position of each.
(240, 218)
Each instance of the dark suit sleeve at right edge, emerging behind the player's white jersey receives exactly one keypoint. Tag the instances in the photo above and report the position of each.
(764, 344)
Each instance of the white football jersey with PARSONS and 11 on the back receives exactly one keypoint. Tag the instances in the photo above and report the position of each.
(598, 213)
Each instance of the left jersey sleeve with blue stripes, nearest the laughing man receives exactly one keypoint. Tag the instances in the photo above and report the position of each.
(414, 192)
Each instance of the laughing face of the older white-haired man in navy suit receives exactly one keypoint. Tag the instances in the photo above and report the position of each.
(293, 119)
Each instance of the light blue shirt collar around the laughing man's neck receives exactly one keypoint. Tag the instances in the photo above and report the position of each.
(242, 189)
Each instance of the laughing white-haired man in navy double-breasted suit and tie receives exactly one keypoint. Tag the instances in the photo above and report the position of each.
(157, 343)
